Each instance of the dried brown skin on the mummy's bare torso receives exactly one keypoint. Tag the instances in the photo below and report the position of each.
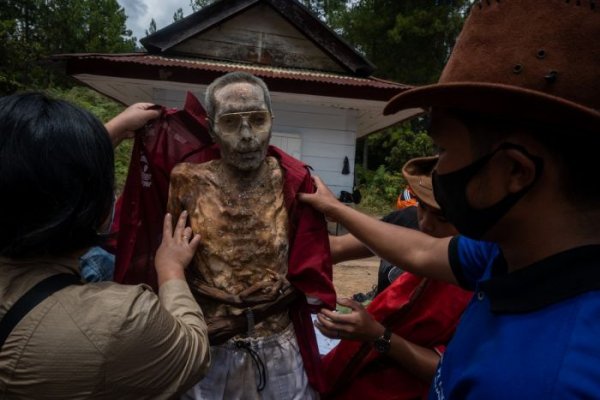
(244, 229)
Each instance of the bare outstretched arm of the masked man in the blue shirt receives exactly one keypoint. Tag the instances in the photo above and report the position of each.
(417, 252)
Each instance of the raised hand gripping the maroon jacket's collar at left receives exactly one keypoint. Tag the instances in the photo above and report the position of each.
(131, 119)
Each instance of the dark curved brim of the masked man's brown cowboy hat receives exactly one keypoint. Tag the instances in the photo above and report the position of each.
(498, 99)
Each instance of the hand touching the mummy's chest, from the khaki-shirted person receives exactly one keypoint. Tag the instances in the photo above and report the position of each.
(176, 249)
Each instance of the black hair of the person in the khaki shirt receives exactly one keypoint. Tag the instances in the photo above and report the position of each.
(56, 176)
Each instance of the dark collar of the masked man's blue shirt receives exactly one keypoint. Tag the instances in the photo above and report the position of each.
(546, 282)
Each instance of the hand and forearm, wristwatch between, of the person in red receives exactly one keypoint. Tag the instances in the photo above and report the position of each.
(419, 361)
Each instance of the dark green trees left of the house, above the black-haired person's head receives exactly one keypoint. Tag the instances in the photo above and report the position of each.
(33, 30)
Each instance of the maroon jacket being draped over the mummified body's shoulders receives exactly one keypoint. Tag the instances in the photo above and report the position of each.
(182, 136)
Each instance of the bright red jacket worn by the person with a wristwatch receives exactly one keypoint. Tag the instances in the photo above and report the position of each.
(420, 310)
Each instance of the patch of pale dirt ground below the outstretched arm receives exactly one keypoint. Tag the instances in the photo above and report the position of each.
(351, 277)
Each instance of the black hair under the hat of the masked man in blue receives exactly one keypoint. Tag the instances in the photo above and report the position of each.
(575, 150)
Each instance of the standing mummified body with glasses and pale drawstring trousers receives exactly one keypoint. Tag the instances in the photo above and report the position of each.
(239, 273)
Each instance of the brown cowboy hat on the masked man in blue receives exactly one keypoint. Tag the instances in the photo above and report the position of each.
(528, 59)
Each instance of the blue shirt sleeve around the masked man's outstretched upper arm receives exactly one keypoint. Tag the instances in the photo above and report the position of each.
(469, 259)
